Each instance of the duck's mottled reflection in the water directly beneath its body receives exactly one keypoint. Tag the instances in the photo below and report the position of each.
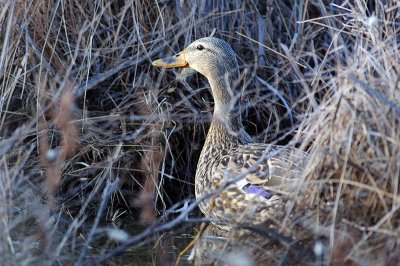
(261, 246)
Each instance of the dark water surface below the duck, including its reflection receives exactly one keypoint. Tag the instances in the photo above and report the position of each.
(247, 245)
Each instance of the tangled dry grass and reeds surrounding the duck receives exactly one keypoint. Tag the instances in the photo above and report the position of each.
(91, 132)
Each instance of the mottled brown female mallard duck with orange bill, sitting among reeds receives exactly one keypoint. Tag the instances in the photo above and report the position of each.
(229, 155)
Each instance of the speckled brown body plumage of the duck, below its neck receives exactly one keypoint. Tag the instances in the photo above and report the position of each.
(223, 159)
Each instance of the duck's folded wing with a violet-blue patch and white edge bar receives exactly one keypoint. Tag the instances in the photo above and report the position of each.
(262, 165)
